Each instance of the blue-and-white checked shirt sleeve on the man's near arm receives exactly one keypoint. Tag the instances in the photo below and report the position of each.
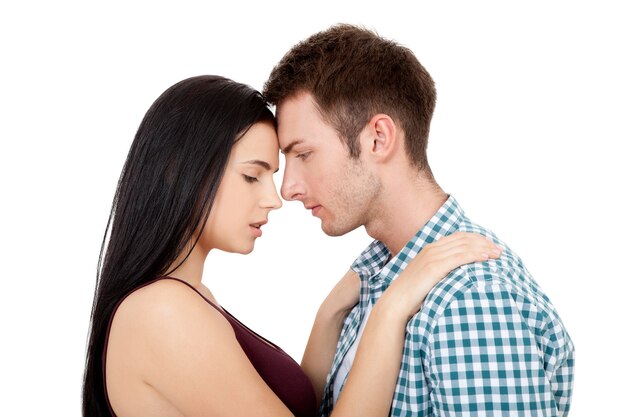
(485, 358)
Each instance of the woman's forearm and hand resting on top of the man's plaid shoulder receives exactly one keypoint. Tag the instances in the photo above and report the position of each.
(370, 386)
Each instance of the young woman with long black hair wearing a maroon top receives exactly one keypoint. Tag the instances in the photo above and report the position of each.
(199, 177)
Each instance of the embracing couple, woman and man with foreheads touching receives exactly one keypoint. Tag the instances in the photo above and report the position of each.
(437, 316)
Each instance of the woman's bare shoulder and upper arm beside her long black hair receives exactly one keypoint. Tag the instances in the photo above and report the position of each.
(186, 350)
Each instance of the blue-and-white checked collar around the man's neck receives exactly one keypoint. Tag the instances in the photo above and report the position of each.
(373, 264)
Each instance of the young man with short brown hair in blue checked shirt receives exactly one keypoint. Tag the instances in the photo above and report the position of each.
(353, 115)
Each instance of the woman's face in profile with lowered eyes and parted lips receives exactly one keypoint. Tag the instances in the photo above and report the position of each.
(246, 194)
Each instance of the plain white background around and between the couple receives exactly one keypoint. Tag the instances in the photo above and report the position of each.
(528, 136)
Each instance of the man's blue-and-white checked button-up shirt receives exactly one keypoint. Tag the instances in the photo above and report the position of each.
(486, 342)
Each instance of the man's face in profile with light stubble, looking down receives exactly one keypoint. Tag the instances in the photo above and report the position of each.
(319, 171)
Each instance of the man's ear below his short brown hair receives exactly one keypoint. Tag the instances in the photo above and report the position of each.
(382, 140)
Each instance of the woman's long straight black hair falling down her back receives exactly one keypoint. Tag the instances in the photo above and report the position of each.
(165, 192)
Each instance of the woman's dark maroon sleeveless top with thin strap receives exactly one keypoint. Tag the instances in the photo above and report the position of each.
(279, 371)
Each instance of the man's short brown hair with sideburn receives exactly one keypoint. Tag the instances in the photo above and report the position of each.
(353, 74)
